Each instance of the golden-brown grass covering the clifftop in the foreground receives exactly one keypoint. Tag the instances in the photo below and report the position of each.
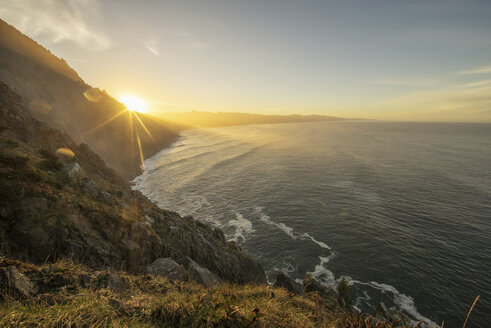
(151, 301)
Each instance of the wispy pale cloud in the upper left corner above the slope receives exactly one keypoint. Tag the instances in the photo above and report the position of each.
(57, 21)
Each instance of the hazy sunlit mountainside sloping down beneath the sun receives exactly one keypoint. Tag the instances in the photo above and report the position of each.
(55, 93)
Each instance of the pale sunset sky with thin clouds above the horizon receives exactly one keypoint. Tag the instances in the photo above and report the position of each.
(395, 60)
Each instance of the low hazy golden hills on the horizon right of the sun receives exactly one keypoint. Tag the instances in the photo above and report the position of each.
(207, 119)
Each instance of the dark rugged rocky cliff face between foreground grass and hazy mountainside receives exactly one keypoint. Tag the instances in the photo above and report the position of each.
(59, 199)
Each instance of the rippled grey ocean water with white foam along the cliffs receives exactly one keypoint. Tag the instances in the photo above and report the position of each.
(401, 209)
